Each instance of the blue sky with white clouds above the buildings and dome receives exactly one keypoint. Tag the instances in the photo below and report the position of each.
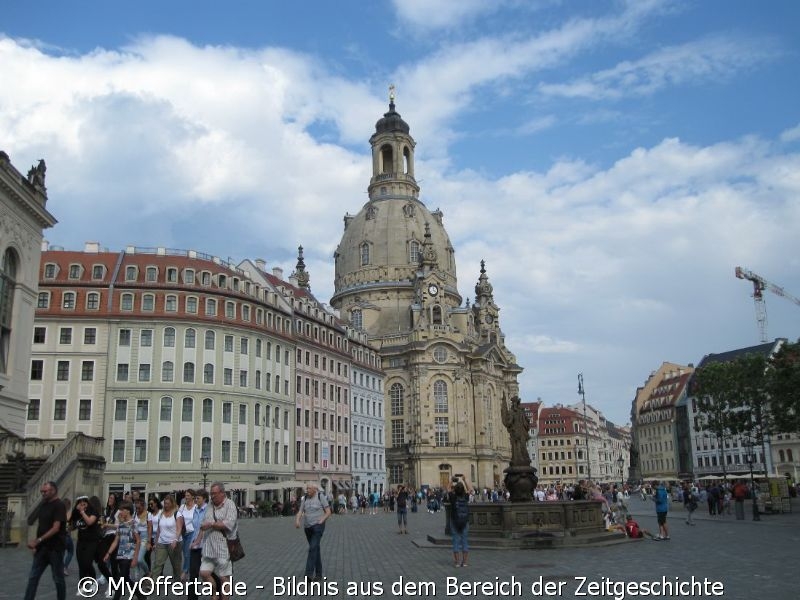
(611, 161)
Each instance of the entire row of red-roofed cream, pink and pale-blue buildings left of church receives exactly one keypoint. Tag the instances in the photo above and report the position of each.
(176, 356)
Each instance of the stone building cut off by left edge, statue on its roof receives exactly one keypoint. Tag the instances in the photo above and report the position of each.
(23, 217)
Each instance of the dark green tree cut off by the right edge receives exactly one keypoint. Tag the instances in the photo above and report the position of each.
(783, 384)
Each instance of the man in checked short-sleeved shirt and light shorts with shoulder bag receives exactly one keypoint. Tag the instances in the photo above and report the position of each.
(220, 523)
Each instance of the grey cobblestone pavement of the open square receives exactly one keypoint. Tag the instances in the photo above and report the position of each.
(361, 552)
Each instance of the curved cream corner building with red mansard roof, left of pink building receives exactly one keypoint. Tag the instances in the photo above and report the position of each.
(169, 356)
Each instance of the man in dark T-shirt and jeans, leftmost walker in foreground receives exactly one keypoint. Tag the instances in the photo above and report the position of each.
(50, 542)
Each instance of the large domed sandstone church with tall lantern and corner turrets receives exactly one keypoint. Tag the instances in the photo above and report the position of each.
(447, 366)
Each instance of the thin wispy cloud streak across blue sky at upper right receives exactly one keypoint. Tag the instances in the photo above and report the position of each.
(700, 61)
